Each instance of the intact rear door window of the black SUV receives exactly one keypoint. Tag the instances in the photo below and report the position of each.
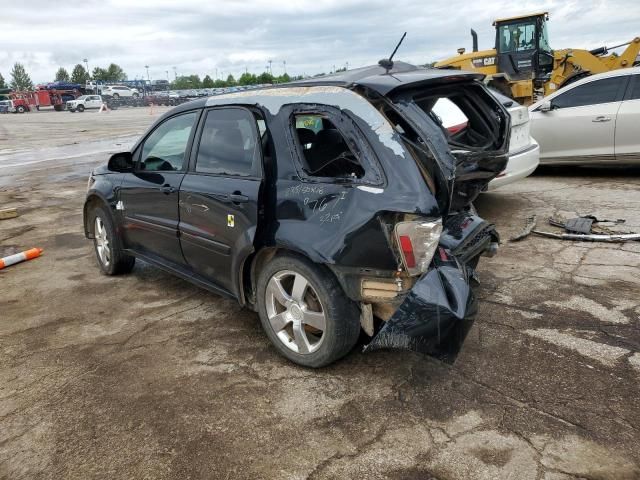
(228, 145)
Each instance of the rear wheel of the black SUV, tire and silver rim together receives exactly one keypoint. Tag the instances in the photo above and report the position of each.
(305, 313)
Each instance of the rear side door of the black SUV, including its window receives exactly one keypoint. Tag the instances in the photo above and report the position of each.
(219, 196)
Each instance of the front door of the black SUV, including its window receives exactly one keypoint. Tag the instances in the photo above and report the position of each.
(149, 196)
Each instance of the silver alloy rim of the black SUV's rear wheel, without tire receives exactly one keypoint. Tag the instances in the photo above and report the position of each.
(295, 312)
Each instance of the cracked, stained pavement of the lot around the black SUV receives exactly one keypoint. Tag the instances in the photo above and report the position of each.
(147, 376)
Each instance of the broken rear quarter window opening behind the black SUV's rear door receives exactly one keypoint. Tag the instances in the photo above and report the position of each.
(325, 151)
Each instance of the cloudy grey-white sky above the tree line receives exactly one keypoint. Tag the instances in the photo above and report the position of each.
(311, 36)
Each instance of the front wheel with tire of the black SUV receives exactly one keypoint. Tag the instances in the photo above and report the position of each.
(107, 245)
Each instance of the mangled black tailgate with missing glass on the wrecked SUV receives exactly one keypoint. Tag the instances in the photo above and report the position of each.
(457, 131)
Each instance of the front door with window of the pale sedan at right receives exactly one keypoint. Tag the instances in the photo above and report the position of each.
(581, 124)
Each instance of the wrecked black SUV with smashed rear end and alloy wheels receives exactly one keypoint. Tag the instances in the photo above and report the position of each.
(329, 206)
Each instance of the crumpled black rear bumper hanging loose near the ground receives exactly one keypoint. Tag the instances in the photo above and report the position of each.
(435, 316)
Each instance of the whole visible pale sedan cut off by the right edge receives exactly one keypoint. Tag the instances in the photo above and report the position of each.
(595, 120)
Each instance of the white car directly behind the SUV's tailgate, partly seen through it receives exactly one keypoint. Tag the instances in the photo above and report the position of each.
(523, 149)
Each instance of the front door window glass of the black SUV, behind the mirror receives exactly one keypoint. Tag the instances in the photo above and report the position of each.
(164, 149)
